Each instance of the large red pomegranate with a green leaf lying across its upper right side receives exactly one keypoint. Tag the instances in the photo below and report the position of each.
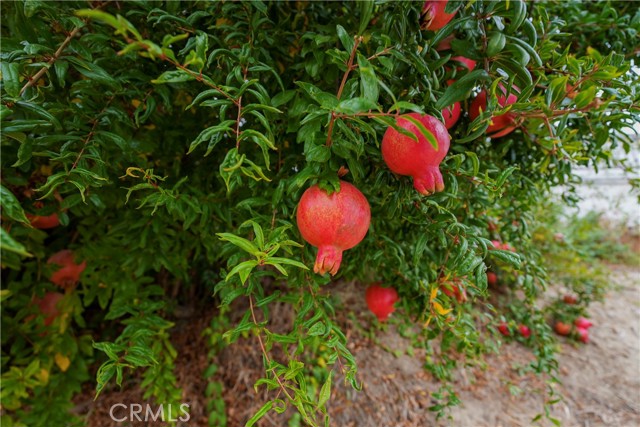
(420, 160)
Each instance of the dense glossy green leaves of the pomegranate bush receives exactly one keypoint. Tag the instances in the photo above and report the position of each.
(175, 139)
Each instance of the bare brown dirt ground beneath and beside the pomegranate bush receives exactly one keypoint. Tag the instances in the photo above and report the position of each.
(600, 380)
